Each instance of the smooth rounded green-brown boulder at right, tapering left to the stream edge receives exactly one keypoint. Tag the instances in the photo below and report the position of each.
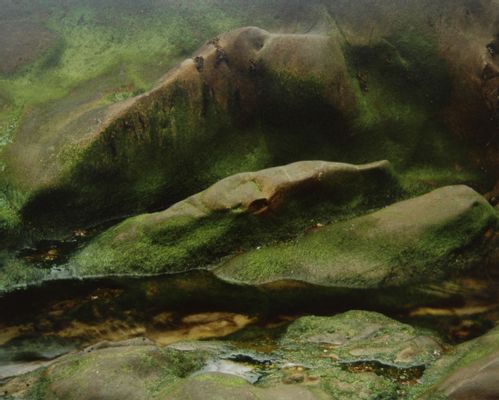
(416, 241)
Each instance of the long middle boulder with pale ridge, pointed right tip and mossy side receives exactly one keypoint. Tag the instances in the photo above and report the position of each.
(244, 210)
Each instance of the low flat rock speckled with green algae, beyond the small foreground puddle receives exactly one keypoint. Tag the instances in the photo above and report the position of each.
(359, 336)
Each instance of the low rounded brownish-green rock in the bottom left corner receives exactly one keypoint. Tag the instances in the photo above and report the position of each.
(131, 371)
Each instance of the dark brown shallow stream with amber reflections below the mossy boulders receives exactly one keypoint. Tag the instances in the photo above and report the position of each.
(40, 324)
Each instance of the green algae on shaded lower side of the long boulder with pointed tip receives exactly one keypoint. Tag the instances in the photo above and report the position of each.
(181, 243)
